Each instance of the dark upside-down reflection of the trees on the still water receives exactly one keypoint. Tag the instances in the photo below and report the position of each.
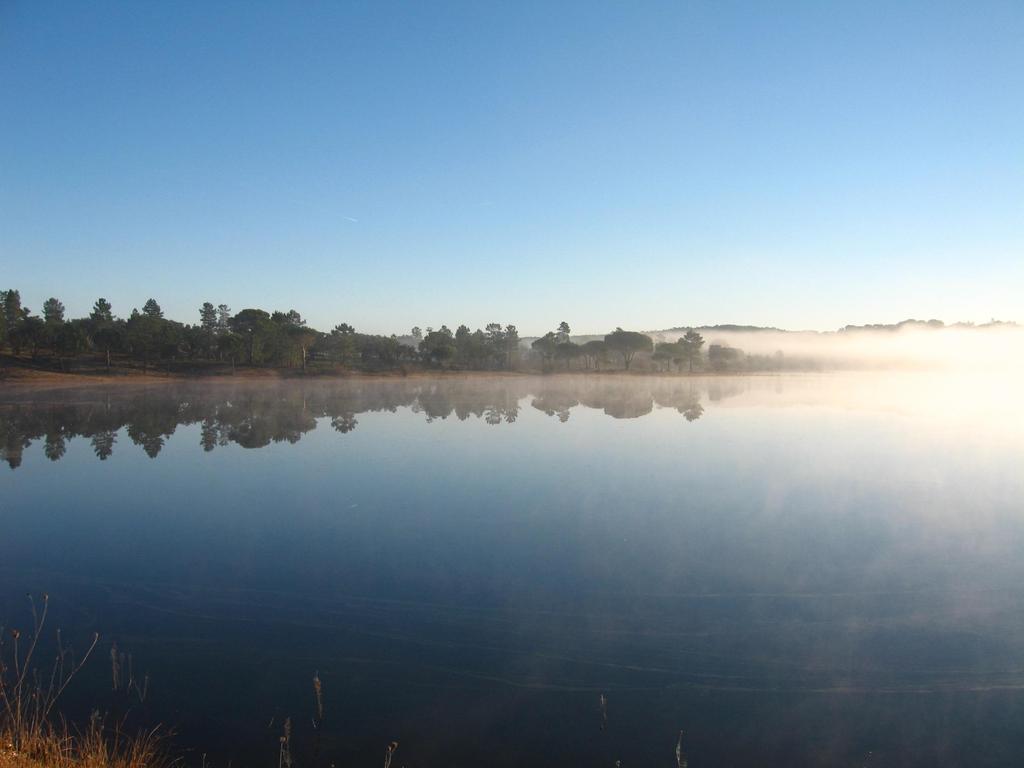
(257, 415)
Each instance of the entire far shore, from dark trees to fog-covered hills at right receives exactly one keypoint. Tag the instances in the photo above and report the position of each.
(221, 339)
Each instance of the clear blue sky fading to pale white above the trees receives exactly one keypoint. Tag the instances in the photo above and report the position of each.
(803, 165)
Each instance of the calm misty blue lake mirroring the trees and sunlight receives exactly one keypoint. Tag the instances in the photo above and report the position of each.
(800, 570)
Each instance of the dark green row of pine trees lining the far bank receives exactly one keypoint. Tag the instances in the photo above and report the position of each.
(257, 337)
